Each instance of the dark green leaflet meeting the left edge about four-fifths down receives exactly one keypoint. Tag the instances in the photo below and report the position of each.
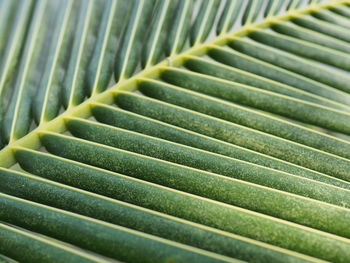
(112, 241)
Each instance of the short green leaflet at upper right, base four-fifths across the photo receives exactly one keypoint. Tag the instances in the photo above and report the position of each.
(311, 36)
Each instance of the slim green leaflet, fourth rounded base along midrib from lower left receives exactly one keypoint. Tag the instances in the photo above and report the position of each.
(133, 122)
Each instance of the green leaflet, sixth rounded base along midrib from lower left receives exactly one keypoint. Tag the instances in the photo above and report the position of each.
(241, 115)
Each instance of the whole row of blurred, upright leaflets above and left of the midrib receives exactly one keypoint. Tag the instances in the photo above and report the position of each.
(75, 54)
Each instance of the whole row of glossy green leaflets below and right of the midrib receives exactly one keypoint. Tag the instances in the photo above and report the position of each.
(230, 157)
